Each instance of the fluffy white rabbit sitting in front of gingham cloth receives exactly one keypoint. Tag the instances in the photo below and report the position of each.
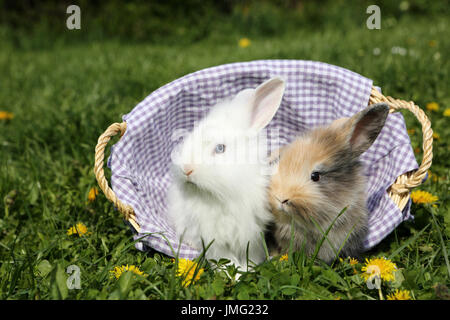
(219, 189)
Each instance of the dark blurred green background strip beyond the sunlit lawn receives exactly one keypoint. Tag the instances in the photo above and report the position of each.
(175, 21)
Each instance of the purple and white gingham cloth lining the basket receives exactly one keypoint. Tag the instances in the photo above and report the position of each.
(316, 94)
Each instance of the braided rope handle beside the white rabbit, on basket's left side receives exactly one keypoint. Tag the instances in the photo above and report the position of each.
(126, 210)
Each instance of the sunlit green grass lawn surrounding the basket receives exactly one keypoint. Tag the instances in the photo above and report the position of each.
(64, 96)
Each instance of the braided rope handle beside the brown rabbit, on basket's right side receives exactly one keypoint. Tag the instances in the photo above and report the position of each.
(399, 191)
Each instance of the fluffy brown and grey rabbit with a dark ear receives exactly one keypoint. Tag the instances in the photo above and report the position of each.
(319, 174)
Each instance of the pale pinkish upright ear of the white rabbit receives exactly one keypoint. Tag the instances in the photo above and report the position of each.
(266, 100)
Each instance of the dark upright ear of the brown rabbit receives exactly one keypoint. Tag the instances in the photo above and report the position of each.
(365, 127)
